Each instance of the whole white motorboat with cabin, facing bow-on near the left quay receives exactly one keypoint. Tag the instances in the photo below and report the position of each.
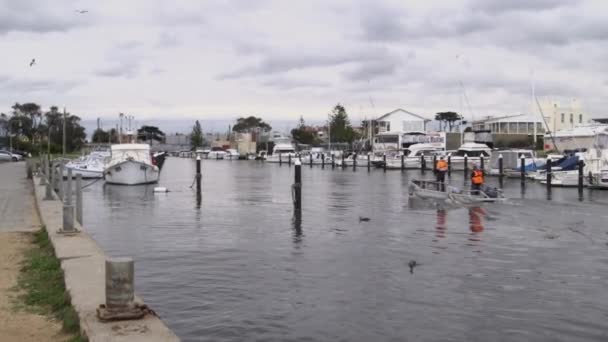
(131, 164)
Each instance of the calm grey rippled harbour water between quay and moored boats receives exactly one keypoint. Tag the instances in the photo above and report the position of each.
(241, 268)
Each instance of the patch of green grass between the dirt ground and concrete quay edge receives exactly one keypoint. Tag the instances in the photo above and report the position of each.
(43, 288)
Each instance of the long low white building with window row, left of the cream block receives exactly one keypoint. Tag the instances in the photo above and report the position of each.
(511, 124)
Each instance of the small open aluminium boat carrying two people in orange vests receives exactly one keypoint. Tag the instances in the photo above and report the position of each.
(426, 189)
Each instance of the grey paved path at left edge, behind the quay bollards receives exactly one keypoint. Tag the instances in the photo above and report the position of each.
(17, 210)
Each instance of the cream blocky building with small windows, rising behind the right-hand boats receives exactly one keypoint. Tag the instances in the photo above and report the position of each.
(562, 114)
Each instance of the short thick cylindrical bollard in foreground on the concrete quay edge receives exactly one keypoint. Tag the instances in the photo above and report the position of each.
(120, 291)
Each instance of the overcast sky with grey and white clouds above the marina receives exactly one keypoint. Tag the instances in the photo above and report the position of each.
(282, 59)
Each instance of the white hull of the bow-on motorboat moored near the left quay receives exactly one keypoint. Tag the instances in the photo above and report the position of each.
(131, 173)
